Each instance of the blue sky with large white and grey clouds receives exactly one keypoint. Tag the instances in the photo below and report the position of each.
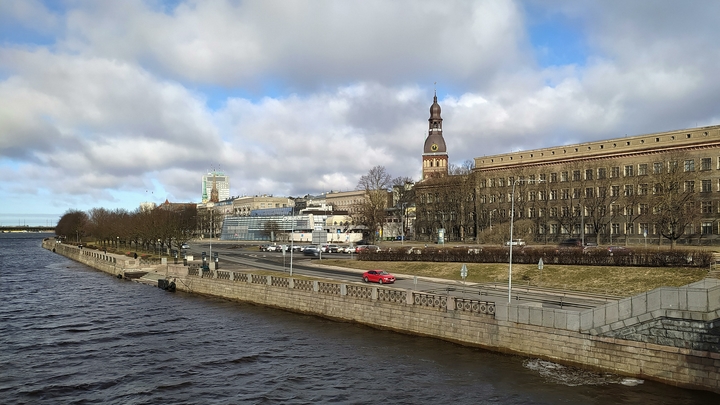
(111, 103)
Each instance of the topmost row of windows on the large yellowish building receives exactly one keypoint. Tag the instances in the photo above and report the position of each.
(601, 173)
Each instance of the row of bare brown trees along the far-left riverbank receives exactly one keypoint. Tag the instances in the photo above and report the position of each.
(168, 226)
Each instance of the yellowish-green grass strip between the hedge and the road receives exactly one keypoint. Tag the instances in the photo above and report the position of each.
(622, 281)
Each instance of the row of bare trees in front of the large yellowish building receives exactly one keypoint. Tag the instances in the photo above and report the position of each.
(600, 199)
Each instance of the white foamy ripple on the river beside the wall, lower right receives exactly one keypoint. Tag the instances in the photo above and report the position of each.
(573, 376)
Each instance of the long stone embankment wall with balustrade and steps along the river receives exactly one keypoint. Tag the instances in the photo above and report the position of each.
(583, 339)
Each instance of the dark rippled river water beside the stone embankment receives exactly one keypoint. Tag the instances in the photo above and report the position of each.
(73, 335)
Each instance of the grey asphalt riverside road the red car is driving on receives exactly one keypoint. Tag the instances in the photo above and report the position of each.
(235, 256)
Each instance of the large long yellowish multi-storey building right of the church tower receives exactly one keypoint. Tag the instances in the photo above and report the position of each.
(654, 188)
